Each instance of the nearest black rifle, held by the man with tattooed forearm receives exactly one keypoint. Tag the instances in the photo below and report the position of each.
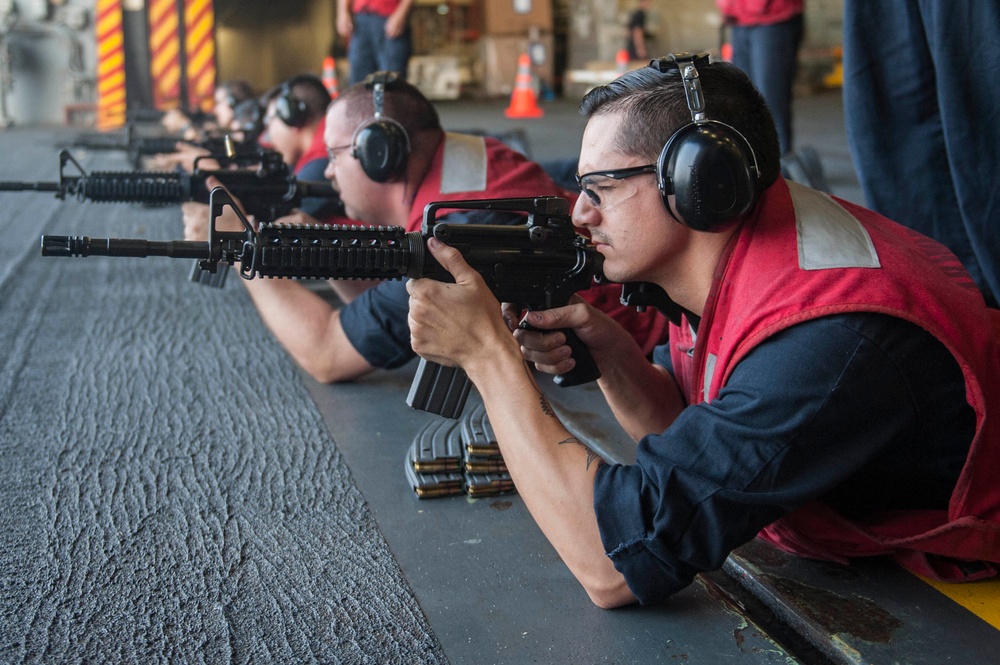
(536, 265)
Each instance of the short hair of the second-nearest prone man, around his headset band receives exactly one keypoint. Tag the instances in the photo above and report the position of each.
(402, 102)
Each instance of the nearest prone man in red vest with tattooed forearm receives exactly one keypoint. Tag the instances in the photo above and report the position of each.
(831, 383)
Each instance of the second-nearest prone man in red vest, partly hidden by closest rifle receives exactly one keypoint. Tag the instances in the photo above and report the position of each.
(388, 157)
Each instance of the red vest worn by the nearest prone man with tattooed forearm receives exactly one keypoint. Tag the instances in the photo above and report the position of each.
(805, 255)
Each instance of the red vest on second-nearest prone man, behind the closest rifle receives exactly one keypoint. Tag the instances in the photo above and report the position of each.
(475, 167)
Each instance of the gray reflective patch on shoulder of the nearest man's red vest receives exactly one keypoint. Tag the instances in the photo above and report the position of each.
(828, 235)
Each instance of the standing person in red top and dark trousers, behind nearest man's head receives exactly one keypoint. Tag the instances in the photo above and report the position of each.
(765, 38)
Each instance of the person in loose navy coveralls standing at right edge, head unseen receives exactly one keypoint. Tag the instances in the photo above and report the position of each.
(921, 96)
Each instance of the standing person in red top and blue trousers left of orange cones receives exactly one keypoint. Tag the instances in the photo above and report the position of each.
(379, 36)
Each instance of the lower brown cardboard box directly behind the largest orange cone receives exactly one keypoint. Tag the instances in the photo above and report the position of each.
(499, 55)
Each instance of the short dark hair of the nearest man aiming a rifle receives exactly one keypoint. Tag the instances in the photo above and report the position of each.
(653, 106)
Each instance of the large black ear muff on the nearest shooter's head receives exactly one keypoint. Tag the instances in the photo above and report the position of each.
(708, 166)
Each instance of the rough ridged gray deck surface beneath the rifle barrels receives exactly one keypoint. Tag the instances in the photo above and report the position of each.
(160, 502)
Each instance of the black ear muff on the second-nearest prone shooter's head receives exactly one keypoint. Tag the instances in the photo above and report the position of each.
(382, 145)
